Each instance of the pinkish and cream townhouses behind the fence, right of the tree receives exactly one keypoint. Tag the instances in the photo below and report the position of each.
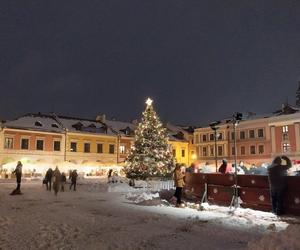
(258, 138)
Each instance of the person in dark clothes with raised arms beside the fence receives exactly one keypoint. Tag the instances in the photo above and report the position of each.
(277, 181)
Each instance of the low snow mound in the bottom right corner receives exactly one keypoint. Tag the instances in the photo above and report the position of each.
(287, 239)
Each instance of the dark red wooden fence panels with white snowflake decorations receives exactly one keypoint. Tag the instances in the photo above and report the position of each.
(253, 190)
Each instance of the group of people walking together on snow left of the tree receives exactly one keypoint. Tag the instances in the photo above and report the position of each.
(59, 180)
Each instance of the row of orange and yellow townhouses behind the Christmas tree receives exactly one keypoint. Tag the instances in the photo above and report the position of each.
(49, 138)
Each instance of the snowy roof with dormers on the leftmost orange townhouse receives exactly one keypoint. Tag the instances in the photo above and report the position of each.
(38, 122)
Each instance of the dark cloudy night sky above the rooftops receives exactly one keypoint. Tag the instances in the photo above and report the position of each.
(198, 60)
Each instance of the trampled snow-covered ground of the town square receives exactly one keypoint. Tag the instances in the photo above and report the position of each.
(115, 216)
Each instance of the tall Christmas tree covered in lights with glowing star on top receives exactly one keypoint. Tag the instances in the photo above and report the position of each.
(150, 155)
